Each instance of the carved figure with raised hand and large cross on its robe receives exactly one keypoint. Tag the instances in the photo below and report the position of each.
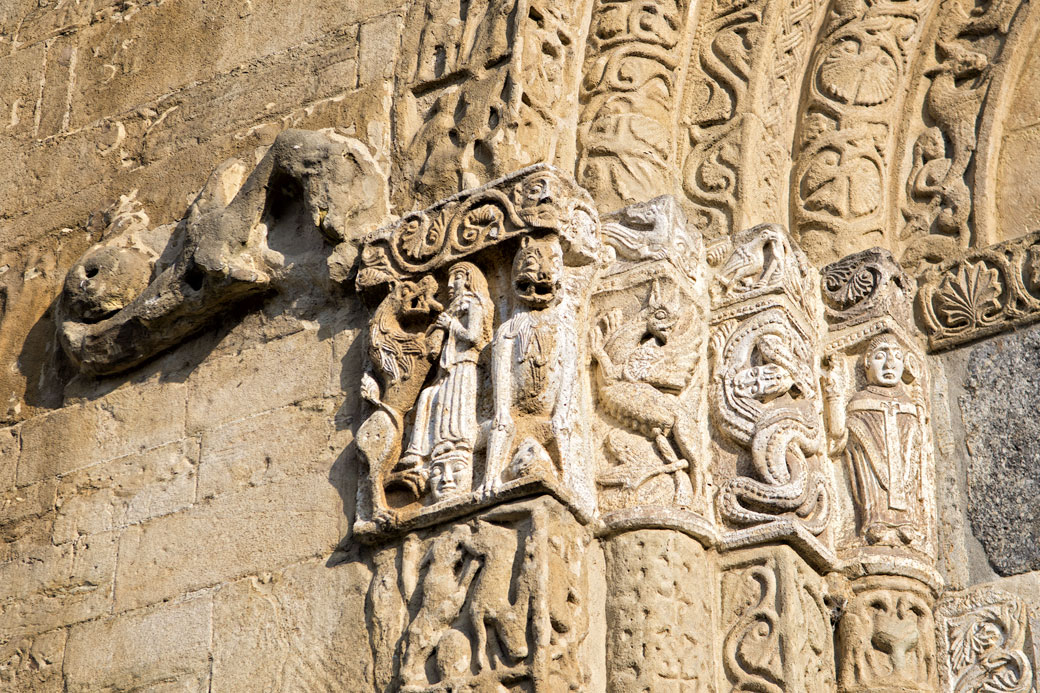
(881, 432)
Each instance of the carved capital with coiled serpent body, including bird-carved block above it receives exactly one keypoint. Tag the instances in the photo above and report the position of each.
(765, 393)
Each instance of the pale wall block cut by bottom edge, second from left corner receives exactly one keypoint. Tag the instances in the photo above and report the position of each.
(165, 649)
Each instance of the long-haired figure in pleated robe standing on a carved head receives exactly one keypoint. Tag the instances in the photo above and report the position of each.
(446, 415)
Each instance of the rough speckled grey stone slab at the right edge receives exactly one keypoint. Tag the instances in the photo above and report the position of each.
(1000, 409)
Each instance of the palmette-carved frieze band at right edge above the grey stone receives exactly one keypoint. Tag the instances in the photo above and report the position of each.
(981, 294)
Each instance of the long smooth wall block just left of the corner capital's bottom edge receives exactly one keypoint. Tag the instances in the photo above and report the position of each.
(237, 535)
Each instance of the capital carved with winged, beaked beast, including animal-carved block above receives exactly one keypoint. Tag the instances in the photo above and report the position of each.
(647, 320)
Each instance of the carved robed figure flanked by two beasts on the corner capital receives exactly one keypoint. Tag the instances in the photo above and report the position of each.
(524, 363)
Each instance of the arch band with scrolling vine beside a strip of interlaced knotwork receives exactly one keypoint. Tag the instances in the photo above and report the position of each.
(742, 90)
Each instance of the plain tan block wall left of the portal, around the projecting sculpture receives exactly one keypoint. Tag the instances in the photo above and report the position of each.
(174, 529)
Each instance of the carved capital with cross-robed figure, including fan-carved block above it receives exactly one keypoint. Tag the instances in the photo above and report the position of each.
(878, 412)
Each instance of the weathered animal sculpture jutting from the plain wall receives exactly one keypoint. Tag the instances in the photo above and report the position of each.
(143, 291)
